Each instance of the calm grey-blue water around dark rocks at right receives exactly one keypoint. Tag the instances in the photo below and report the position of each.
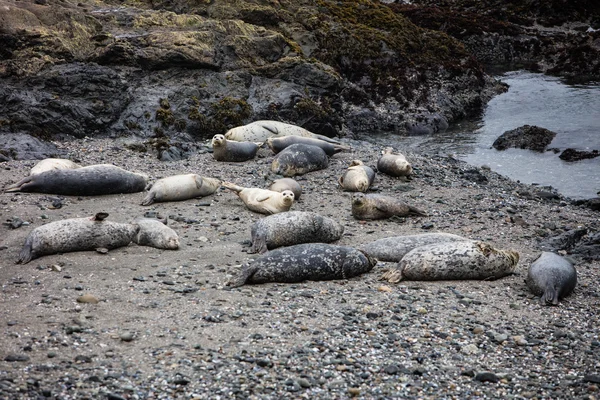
(572, 111)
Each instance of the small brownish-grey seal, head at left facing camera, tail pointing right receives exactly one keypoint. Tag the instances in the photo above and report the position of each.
(377, 206)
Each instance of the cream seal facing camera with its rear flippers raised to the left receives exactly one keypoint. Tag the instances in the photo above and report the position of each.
(263, 201)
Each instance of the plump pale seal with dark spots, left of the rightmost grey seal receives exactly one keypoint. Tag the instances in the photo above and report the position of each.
(453, 261)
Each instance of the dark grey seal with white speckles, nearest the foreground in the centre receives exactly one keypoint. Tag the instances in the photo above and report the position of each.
(309, 261)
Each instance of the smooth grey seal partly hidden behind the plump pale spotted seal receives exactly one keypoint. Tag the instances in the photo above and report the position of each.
(395, 247)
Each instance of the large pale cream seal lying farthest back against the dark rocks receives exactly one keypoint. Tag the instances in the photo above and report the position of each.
(260, 131)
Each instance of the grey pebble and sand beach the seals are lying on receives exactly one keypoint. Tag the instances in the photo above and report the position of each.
(166, 326)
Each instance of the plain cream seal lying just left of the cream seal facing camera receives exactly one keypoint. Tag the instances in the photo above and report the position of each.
(180, 187)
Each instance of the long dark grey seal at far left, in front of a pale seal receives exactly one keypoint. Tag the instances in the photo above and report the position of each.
(93, 180)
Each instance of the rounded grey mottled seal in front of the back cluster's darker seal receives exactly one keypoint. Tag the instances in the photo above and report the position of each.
(298, 159)
